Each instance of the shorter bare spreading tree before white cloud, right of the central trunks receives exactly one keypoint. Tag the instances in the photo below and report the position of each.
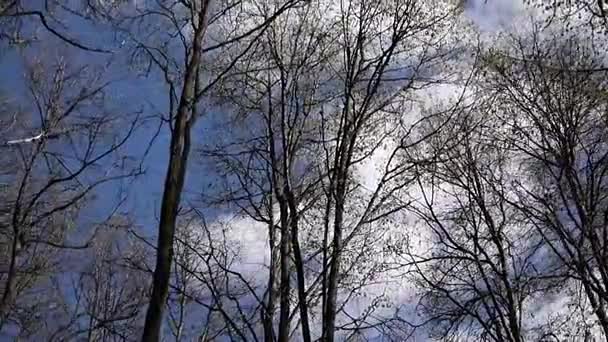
(484, 265)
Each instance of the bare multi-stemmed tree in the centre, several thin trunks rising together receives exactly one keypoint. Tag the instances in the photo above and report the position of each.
(302, 120)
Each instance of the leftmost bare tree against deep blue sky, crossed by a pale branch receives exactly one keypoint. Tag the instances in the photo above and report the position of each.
(57, 146)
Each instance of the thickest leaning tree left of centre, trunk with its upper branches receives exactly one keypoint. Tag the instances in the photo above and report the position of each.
(178, 55)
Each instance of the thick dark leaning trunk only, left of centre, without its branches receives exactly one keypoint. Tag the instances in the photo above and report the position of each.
(174, 183)
